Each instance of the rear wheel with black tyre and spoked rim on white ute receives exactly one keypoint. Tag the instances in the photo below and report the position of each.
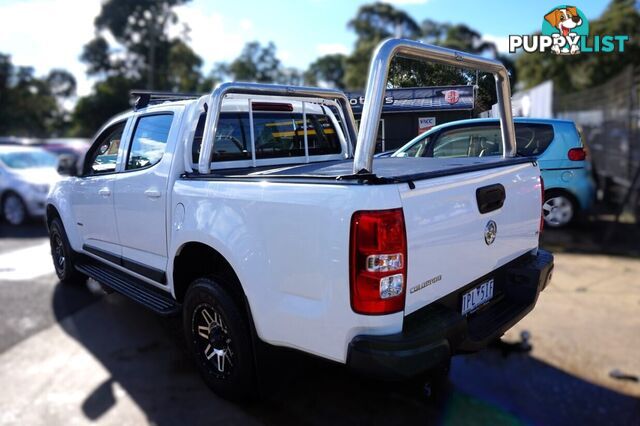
(219, 339)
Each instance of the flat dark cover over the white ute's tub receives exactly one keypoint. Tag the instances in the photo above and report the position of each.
(387, 170)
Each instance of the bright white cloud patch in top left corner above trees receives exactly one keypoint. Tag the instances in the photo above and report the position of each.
(47, 34)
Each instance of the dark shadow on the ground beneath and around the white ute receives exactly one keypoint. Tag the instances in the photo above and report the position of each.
(146, 356)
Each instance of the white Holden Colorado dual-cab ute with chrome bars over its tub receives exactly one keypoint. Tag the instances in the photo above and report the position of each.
(258, 213)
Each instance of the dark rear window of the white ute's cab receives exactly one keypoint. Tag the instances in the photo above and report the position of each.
(277, 135)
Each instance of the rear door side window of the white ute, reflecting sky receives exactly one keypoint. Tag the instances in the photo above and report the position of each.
(149, 140)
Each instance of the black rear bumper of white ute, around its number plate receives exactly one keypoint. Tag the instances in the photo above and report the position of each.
(433, 334)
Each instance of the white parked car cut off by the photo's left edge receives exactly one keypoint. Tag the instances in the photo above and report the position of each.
(26, 174)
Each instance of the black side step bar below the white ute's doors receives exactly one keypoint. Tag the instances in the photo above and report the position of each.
(135, 289)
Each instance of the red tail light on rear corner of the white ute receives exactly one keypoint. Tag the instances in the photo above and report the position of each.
(378, 262)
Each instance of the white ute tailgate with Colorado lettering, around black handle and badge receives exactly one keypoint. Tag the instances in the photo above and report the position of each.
(445, 230)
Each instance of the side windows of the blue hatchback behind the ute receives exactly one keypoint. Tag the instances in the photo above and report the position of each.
(483, 141)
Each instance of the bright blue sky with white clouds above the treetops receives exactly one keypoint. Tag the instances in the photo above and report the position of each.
(50, 33)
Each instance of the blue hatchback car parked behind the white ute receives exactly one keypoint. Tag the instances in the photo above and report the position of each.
(569, 186)
